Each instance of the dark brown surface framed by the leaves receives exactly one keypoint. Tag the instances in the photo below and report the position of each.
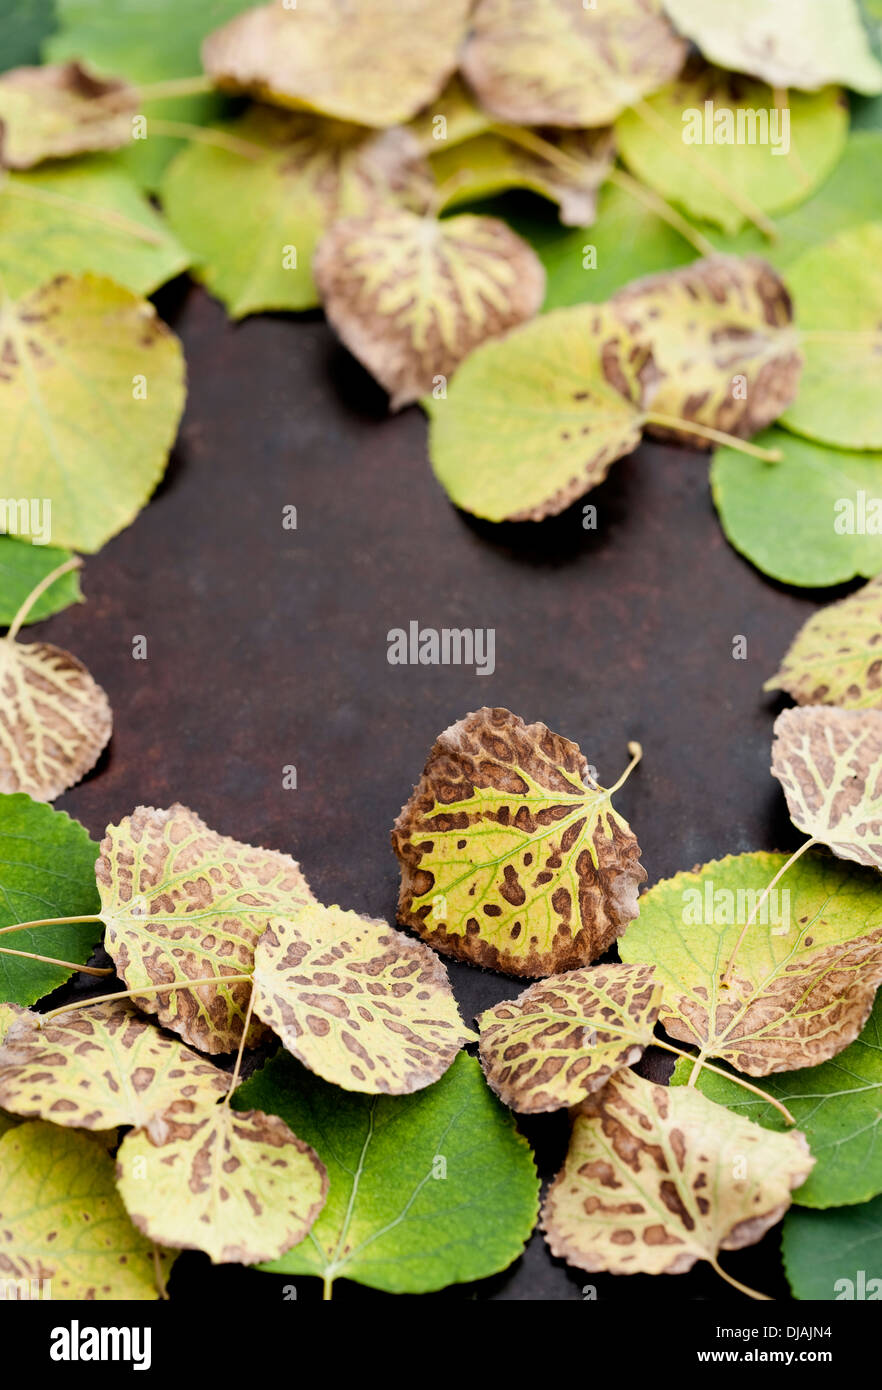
(269, 648)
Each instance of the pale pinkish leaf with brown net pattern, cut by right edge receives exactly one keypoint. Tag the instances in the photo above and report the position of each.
(830, 765)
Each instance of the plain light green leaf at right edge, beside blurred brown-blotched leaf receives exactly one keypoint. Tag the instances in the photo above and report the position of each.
(838, 294)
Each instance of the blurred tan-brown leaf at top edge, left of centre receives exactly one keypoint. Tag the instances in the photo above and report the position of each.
(315, 56)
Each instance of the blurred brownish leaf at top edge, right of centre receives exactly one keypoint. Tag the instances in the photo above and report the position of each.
(556, 63)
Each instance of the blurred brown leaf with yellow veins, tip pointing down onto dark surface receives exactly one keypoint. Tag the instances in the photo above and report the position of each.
(412, 297)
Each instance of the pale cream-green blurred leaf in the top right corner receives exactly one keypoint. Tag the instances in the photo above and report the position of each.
(791, 44)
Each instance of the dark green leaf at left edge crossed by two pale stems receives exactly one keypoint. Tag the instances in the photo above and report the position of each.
(47, 871)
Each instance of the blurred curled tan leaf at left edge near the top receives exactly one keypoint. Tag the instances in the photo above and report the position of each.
(62, 111)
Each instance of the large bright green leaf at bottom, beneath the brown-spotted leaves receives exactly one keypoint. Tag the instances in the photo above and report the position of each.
(427, 1191)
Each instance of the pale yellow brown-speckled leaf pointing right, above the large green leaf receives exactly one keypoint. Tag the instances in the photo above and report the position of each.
(356, 1001)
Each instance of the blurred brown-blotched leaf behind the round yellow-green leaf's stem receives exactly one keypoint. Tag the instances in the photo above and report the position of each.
(723, 344)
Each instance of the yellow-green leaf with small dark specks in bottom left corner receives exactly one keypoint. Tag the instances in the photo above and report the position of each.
(63, 1224)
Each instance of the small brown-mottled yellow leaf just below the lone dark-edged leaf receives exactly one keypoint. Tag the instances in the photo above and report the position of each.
(565, 1038)
